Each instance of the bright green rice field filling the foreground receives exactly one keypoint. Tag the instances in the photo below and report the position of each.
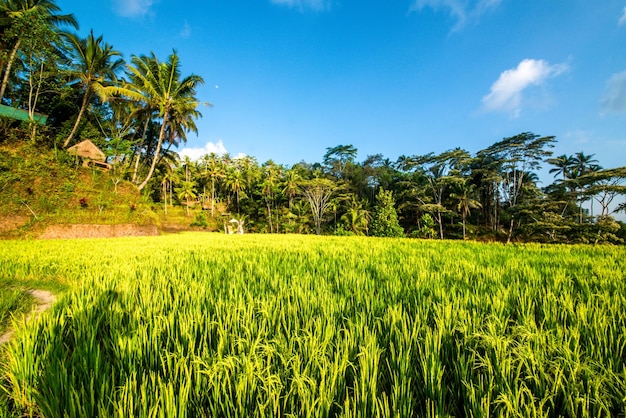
(210, 325)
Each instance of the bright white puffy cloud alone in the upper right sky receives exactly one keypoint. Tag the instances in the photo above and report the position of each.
(506, 92)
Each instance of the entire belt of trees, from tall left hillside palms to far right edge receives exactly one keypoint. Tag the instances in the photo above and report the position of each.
(138, 111)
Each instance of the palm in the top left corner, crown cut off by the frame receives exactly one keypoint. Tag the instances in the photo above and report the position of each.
(12, 11)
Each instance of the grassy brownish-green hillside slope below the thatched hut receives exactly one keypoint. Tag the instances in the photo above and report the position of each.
(42, 187)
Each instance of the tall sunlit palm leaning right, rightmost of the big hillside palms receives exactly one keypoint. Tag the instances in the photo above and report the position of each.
(159, 85)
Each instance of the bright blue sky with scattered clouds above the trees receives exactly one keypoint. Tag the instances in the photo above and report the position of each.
(289, 78)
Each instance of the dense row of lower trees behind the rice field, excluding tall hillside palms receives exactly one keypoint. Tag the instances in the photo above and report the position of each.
(493, 194)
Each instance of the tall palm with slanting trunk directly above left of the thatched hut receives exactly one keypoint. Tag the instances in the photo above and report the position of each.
(96, 65)
